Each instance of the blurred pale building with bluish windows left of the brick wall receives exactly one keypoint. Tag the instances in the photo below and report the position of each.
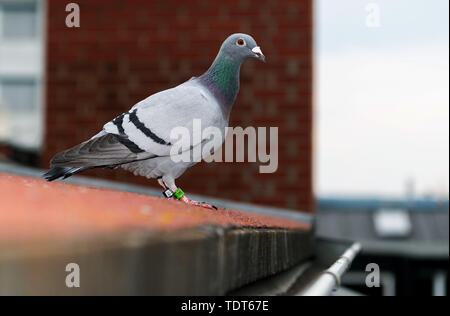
(21, 73)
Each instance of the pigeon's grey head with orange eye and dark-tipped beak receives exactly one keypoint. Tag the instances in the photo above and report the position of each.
(242, 46)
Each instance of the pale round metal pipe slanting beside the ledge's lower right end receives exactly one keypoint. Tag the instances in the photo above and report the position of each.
(330, 279)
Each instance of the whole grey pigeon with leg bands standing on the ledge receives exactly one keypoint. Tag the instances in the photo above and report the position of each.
(140, 140)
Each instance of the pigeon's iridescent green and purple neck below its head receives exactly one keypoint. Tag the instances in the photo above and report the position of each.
(222, 79)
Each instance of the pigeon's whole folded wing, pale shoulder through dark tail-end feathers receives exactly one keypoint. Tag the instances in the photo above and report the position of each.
(144, 132)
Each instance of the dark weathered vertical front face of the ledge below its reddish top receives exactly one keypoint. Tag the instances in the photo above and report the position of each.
(206, 261)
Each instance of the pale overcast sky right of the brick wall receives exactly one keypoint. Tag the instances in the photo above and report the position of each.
(382, 97)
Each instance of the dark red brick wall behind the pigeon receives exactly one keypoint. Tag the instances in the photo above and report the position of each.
(126, 50)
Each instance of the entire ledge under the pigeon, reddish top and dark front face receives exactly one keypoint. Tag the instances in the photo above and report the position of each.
(134, 244)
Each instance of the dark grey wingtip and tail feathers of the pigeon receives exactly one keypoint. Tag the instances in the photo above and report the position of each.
(103, 150)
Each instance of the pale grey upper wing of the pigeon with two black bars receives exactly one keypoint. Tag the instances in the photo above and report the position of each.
(148, 125)
